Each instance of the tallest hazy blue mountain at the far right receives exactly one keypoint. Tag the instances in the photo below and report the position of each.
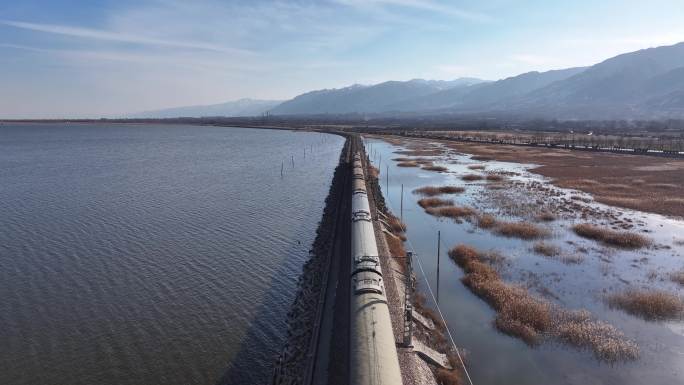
(644, 83)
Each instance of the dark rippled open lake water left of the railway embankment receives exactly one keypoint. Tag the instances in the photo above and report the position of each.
(152, 254)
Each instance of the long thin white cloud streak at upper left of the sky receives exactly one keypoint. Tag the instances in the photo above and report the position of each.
(88, 33)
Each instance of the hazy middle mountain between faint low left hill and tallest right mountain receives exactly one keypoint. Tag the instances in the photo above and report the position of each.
(366, 99)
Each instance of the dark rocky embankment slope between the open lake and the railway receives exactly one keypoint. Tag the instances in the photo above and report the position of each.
(295, 363)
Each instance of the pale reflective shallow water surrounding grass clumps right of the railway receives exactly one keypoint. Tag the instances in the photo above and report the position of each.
(495, 358)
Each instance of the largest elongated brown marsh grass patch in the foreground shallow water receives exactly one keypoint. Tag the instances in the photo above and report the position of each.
(532, 319)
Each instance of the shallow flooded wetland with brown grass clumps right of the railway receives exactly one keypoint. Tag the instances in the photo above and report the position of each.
(539, 282)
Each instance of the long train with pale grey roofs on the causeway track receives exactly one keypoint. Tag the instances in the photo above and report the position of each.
(373, 354)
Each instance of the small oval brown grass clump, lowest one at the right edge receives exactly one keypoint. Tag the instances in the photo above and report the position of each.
(651, 305)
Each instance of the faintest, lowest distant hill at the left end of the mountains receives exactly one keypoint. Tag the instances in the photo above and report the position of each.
(242, 107)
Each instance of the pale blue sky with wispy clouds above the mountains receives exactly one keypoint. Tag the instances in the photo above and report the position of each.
(99, 58)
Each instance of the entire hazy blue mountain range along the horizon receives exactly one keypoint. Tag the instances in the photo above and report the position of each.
(644, 84)
